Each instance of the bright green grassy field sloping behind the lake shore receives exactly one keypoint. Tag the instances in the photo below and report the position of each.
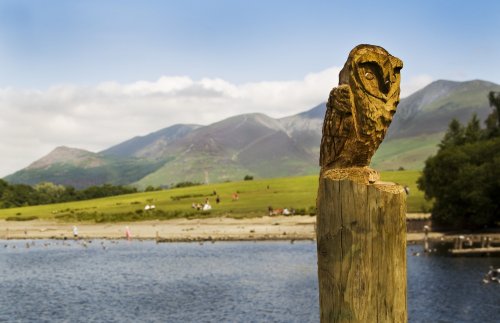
(254, 198)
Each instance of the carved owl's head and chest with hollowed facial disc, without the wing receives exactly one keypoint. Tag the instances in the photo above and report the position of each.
(373, 76)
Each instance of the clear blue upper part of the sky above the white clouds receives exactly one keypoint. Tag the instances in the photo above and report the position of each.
(86, 42)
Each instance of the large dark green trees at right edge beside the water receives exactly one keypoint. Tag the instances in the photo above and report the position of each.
(463, 178)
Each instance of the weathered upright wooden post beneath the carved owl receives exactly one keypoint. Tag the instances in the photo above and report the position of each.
(361, 235)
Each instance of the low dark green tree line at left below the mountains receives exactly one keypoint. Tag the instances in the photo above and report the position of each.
(15, 195)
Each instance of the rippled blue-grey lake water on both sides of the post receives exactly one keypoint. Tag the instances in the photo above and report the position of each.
(104, 281)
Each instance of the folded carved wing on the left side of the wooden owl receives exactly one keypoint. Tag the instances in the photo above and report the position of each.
(338, 125)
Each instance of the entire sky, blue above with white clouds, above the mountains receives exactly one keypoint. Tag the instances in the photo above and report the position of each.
(91, 74)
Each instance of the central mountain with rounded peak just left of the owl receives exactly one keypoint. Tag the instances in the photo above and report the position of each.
(229, 150)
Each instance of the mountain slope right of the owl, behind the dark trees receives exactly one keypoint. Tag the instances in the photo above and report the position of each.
(422, 119)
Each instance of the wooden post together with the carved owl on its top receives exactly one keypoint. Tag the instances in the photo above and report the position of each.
(361, 225)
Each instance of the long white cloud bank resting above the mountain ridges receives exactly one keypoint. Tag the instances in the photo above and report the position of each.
(33, 122)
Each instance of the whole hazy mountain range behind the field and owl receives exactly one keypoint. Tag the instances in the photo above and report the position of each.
(258, 145)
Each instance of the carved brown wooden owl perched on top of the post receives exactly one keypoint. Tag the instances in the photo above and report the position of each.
(360, 109)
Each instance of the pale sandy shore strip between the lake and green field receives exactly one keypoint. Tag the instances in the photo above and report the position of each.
(177, 230)
